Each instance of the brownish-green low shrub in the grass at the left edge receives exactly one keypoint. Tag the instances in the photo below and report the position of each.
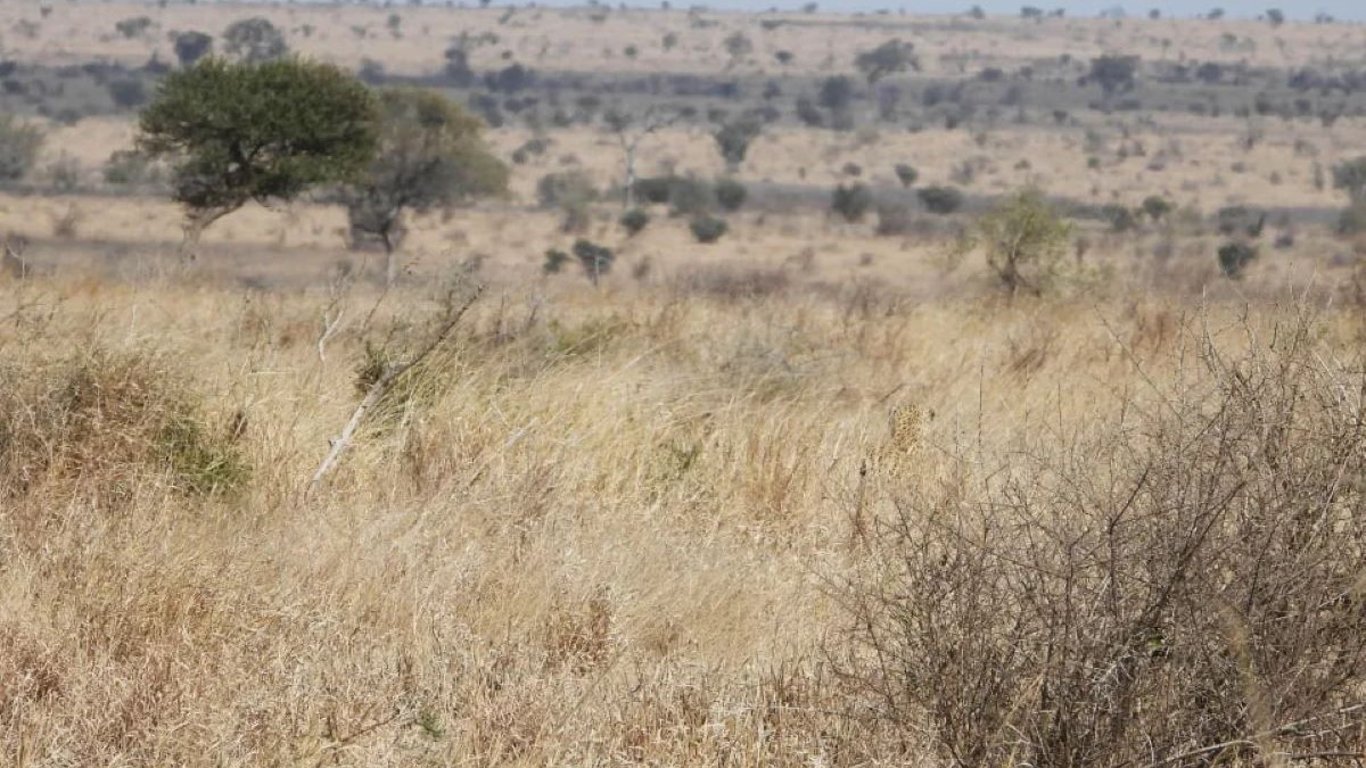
(110, 423)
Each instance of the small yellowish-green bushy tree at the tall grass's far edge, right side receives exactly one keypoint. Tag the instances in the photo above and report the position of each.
(1025, 243)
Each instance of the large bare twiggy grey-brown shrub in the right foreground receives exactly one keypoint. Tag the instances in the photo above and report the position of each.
(1182, 587)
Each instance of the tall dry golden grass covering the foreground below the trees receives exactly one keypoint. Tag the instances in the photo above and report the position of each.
(594, 528)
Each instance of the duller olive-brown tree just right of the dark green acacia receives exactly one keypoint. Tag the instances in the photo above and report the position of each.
(431, 154)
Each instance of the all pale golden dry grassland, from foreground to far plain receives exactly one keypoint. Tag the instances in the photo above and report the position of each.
(603, 525)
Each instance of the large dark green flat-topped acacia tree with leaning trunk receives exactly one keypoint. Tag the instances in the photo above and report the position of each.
(266, 132)
